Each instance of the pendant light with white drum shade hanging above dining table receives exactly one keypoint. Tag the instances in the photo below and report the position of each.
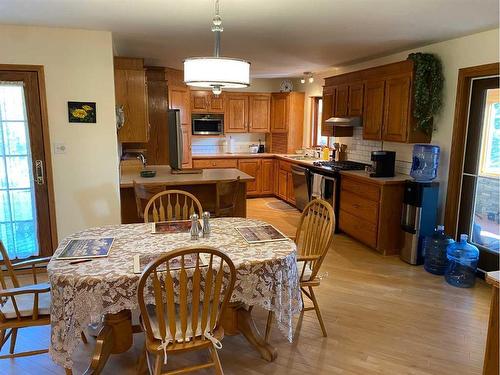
(216, 72)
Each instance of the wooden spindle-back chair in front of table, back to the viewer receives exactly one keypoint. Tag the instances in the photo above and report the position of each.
(182, 296)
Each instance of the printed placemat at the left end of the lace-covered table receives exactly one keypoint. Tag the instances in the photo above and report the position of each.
(83, 248)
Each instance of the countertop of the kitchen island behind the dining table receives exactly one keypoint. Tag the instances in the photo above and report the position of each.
(163, 176)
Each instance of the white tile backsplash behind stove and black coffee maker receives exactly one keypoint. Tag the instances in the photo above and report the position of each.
(360, 150)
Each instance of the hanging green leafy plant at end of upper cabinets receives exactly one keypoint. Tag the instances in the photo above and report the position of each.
(428, 87)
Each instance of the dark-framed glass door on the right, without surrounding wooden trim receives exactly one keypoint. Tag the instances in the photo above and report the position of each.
(479, 208)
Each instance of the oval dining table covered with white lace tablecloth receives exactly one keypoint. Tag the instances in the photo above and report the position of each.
(103, 291)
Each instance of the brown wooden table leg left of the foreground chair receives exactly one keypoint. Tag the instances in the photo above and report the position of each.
(114, 337)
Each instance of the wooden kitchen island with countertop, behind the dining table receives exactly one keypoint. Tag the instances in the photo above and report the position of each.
(202, 185)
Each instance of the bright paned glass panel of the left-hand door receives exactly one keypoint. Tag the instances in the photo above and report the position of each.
(18, 226)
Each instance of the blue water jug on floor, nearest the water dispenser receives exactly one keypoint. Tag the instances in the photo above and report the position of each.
(435, 257)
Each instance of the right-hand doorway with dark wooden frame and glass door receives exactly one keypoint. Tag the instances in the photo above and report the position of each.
(475, 174)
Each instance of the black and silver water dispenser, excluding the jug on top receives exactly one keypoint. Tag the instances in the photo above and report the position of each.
(418, 218)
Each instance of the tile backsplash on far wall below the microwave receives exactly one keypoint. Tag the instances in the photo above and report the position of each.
(234, 143)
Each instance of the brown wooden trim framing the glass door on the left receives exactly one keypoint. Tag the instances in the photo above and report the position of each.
(39, 70)
